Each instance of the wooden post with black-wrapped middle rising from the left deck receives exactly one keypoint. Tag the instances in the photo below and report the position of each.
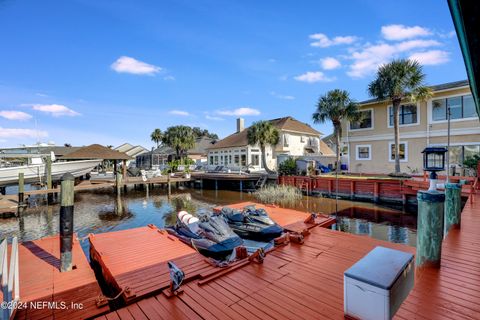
(66, 221)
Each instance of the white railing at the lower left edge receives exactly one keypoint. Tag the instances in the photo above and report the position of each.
(9, 279)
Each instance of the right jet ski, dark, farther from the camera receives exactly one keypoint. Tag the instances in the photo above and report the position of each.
(252, 223)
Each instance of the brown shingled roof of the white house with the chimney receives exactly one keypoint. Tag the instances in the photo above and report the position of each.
(239, 139)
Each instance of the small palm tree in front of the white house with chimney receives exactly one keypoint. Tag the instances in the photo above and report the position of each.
(263, 133)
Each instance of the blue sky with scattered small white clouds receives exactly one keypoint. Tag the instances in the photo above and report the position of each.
(109, 72)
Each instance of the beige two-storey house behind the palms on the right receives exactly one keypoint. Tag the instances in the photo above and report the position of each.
(370, 142)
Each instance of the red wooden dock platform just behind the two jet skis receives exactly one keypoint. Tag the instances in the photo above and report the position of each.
(291, 220)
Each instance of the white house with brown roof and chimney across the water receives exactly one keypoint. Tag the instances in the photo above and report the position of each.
(296, 139)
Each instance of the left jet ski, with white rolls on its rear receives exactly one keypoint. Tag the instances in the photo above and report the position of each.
(209, 234)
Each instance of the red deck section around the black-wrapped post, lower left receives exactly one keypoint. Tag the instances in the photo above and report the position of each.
(41, 280)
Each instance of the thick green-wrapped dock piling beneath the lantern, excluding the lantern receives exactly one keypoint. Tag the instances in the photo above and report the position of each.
(430, 228)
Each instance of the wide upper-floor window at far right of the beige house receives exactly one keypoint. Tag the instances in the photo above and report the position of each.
(460, 107)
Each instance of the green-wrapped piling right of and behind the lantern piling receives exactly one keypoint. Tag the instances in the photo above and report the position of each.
(453, 206)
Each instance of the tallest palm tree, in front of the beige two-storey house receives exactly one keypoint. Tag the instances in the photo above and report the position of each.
(396, 81)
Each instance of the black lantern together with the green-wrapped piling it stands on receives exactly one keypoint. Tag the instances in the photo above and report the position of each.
(431, 212)
